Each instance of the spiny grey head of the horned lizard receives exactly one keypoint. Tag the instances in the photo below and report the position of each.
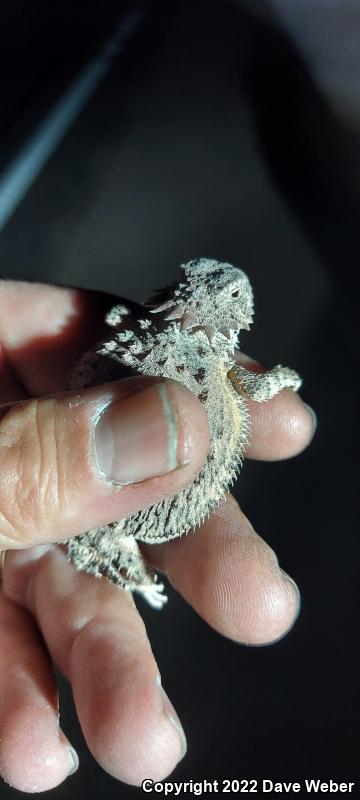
(215, 296)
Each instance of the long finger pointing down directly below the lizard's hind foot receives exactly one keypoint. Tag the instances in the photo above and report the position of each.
(98, 640)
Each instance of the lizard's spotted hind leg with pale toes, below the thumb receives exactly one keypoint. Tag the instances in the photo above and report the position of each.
(123, 565)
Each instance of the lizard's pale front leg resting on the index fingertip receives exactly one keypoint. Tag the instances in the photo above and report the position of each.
(261, 386)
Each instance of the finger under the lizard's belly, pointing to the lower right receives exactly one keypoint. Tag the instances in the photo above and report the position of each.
(232, 578)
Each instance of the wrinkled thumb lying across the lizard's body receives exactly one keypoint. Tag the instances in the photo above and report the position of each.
(74, 461)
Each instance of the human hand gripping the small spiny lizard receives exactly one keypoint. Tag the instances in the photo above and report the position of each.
(50, 489)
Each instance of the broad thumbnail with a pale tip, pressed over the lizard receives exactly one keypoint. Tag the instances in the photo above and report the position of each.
(137, 438)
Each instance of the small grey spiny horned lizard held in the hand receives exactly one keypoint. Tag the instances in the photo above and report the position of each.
(188, 332)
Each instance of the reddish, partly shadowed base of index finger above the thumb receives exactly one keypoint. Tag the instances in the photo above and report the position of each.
(45, 329)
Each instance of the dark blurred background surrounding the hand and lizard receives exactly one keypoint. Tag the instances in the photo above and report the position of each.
(229, 130)
